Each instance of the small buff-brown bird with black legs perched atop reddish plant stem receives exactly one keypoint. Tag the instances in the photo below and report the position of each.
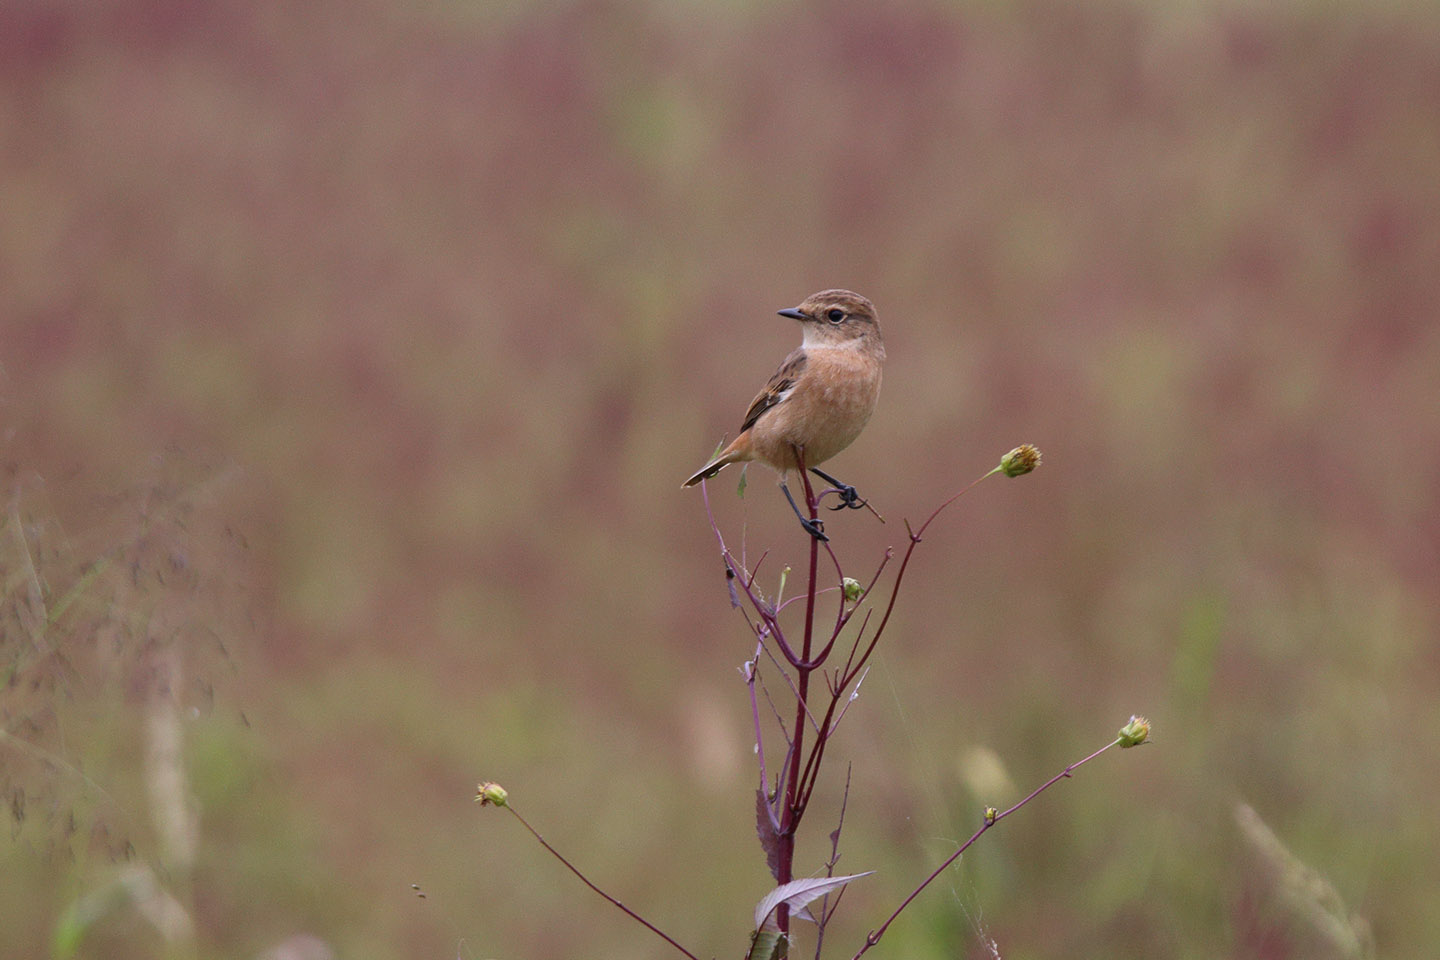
(820, 399)
